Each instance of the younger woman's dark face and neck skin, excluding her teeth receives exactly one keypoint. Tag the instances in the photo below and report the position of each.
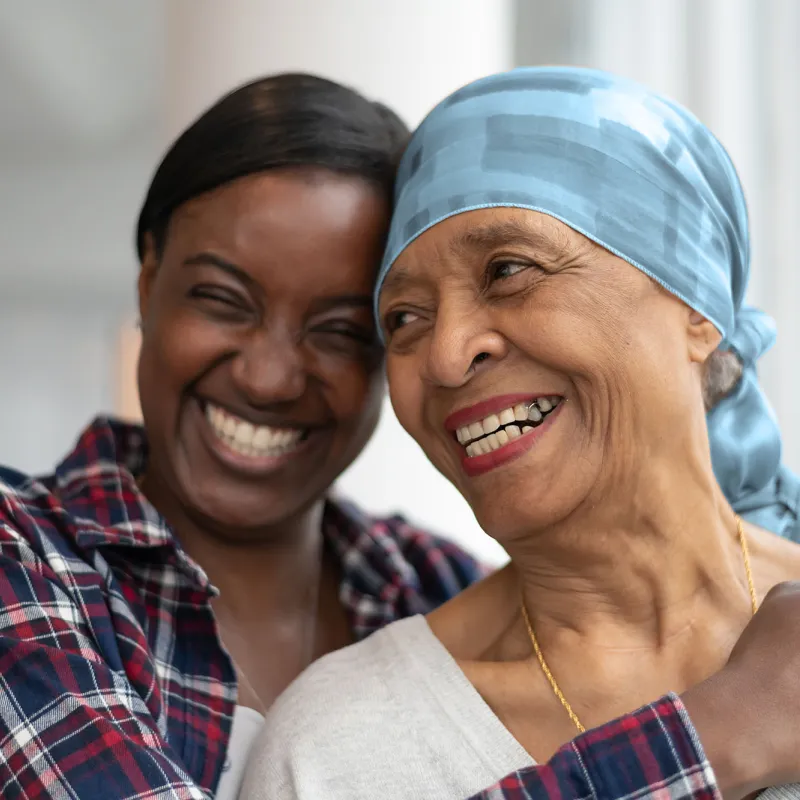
(260, 305)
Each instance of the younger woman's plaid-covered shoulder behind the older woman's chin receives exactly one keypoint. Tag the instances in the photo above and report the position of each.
(433, 565)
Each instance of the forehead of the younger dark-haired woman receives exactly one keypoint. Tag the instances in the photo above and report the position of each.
(307, 228)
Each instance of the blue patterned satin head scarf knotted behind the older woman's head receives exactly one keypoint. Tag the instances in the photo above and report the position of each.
(643, 178)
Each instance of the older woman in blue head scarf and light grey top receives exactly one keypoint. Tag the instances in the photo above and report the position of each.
(562, 303)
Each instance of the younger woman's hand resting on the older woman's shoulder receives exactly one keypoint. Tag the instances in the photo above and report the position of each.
(748, 714)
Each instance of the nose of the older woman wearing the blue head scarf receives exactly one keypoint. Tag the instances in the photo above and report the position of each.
(463, 343)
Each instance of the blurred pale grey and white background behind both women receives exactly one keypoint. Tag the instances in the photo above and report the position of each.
(92, 91)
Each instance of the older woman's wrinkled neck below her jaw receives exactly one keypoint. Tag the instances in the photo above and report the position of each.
(637, 574)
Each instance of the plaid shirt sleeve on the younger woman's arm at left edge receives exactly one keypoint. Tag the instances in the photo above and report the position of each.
(71, 725)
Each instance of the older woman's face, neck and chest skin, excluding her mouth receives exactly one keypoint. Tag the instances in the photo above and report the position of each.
(622, 545)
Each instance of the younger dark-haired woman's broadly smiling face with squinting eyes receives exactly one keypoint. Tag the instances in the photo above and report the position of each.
(260, 373)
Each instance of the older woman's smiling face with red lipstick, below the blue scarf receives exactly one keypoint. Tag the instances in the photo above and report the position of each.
(536, 369)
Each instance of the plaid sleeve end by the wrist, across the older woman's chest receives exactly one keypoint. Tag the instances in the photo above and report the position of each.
(652, 753)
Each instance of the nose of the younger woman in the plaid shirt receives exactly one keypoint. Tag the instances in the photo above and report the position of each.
(269, 368)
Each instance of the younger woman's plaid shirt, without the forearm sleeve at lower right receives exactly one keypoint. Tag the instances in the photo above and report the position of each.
(113, 683)
